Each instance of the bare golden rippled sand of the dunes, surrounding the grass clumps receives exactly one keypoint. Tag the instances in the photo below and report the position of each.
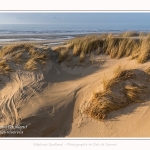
(51, 102)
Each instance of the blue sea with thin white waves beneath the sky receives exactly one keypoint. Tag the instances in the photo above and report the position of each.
(68, 29)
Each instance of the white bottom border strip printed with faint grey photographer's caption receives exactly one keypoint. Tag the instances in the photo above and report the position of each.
(80, 144)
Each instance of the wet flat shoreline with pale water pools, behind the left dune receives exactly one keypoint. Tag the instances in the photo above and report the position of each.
(47, 39)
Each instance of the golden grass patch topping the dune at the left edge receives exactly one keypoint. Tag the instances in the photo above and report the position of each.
(27, 55)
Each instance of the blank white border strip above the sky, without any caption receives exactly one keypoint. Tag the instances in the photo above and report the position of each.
(89, 5)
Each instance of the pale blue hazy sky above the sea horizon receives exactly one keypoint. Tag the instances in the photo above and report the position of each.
(70, 17)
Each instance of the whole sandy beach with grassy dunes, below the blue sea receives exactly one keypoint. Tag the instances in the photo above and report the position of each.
(58, 96)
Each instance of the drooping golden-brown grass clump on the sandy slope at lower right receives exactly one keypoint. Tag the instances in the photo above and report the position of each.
(109, 100)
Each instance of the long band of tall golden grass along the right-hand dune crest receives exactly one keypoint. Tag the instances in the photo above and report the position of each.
(117, 46)
